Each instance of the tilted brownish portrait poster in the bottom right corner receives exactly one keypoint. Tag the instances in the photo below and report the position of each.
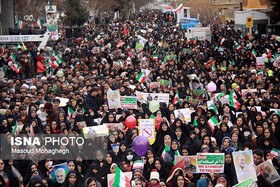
(268, 171)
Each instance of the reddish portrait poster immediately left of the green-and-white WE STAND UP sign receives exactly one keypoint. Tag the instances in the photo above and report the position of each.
(187, 163)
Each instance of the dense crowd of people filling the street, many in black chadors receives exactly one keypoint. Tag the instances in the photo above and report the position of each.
(30, 97)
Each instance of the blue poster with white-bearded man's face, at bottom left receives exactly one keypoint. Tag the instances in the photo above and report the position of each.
(59, 172)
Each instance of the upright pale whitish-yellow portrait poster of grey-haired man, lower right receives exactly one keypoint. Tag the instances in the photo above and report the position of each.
(244, 166)
